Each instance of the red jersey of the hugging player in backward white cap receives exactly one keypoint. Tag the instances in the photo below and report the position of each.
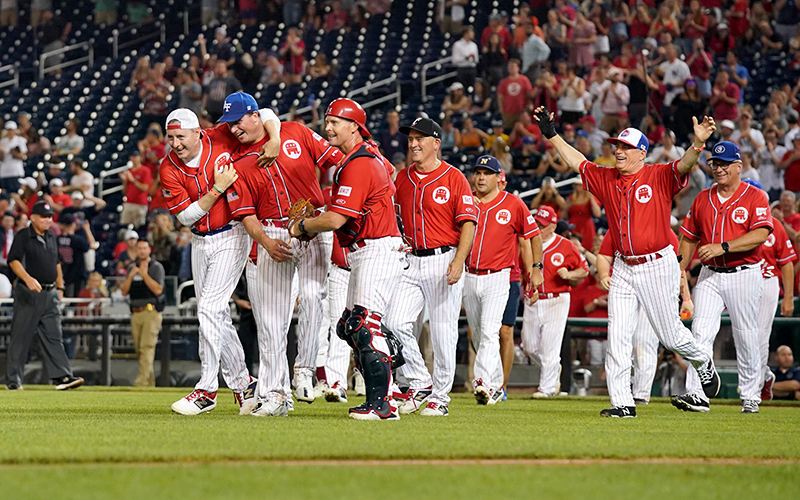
(182, 184)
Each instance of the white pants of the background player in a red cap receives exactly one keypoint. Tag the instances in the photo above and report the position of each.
(543, 325)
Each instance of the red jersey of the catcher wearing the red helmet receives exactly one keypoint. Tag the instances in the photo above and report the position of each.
(364, 192)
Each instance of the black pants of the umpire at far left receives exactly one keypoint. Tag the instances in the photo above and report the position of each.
(36, 314)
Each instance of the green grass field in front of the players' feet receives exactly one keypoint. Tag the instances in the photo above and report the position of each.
(117, 443)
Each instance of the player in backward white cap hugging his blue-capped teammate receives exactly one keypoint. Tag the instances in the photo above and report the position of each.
(194, 175)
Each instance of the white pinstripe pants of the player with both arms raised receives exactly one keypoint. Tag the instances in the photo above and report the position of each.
(653, 287)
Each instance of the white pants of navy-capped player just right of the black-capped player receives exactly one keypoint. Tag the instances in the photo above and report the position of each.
(485, 300)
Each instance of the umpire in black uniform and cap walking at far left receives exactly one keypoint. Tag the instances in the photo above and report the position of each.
(39, 288)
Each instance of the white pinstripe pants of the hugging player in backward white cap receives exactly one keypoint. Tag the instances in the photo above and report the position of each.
(217, 263)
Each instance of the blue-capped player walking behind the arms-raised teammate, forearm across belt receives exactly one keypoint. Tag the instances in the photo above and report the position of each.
(729, 222)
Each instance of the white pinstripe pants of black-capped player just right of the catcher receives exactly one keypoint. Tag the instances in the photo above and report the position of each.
(425, 283)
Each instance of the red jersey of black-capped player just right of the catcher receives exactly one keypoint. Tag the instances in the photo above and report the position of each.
(433, 205)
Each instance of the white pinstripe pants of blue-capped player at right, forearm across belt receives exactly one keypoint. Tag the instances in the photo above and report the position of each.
(740, 293)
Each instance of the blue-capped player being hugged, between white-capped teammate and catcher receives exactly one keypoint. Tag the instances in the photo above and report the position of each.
(261, 199)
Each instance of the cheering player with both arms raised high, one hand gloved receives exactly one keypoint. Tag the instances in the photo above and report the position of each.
(638, 198)
